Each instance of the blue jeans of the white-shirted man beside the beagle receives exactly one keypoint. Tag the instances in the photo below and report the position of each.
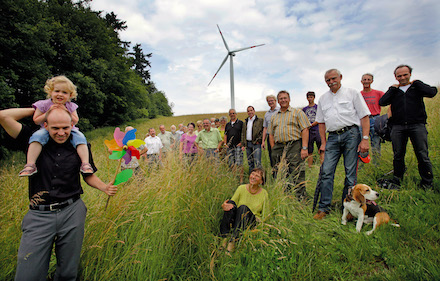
(345, 144)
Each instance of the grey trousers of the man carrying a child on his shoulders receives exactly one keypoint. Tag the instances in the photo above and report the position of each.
(43, 229)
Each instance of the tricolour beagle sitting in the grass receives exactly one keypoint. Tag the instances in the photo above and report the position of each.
(360, 203)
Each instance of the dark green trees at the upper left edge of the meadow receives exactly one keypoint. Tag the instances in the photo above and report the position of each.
(40, 39)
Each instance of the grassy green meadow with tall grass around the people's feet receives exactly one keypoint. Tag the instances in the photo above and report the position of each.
(163, 223)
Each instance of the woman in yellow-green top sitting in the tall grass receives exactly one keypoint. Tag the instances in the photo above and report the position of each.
(249, 205)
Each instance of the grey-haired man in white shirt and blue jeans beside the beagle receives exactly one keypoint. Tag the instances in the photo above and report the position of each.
(340, 112)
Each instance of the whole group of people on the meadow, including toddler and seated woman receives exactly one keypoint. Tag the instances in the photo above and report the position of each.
(340, 124)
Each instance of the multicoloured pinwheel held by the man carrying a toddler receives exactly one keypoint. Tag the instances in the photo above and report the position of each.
(123, 146)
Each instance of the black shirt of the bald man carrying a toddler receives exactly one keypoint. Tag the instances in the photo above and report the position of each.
(58, 171)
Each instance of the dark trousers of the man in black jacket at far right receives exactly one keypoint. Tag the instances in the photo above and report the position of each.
(418, 135)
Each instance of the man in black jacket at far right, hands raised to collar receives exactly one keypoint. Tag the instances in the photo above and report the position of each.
(409, 119)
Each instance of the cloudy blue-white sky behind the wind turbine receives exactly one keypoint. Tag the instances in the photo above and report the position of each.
(303, 39)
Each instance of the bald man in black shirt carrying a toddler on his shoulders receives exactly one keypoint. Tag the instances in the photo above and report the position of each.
(56, 212)
